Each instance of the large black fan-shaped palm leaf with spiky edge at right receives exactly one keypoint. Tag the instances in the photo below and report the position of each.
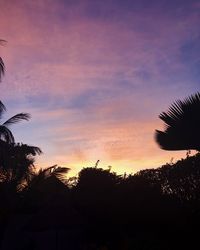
(182, 125)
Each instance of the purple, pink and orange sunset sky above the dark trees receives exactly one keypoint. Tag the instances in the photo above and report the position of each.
(95, 75)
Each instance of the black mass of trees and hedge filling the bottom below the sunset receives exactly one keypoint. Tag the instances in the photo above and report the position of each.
(152, 209)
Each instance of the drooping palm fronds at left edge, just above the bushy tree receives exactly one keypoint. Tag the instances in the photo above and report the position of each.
(5, 133)
